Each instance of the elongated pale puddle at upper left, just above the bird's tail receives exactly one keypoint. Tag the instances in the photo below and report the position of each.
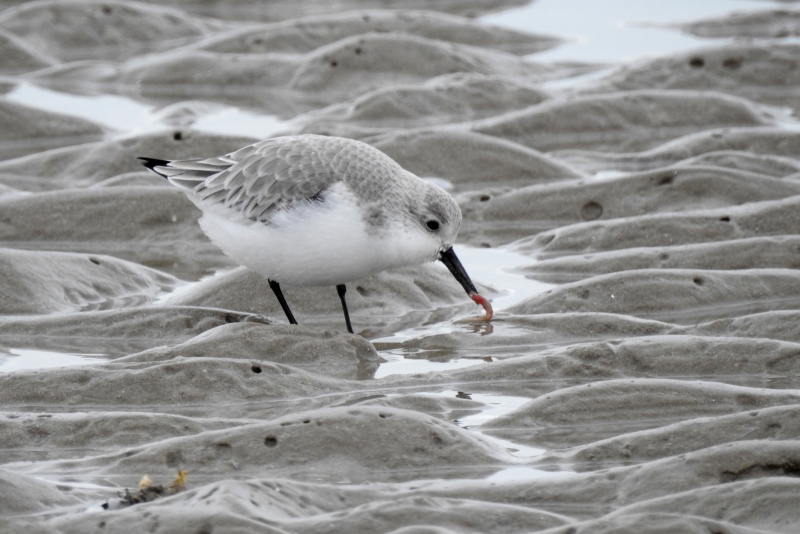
(128, 116)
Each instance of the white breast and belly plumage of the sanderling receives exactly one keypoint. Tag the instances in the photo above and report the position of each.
(319, 243)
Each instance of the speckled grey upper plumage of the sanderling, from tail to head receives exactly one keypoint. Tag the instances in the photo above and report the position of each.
(277, 174)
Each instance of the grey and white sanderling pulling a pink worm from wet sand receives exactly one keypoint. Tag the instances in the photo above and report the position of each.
(311, 210)
